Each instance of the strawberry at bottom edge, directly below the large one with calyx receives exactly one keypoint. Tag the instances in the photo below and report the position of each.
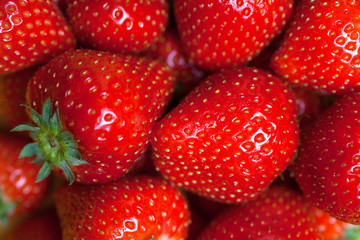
(140, 207)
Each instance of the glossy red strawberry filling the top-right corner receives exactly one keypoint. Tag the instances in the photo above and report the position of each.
(321, 48)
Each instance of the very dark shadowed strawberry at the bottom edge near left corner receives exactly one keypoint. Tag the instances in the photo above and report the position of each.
(44, 225)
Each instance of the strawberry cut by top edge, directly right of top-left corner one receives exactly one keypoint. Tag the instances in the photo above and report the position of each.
(118, 25)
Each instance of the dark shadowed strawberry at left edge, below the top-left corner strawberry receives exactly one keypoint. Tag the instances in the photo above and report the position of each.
(12, 94)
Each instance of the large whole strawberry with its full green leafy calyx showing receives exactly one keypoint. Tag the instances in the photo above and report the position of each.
(107, 105)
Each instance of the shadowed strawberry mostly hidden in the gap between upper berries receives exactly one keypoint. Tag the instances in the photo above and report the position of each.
(170, 50)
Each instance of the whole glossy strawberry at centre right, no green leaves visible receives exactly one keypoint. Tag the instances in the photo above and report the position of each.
(230, 137)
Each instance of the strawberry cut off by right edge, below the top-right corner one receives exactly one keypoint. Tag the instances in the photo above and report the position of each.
(327, 168)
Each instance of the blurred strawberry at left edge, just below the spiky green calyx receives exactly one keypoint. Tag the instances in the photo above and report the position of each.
(19, 194)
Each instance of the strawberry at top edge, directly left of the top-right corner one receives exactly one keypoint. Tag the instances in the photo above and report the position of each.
(221, 34)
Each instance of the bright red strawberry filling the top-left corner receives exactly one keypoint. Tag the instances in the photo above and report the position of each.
(31, 32)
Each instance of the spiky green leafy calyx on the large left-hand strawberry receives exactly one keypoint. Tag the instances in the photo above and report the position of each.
(53, 146)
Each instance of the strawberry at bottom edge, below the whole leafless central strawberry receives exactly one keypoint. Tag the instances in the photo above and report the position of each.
(279, 213)
